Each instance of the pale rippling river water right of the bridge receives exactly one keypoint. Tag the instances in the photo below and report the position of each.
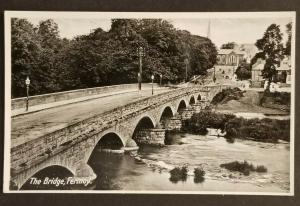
(148, 169)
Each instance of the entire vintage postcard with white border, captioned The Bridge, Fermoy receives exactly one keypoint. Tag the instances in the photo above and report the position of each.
(154, 103)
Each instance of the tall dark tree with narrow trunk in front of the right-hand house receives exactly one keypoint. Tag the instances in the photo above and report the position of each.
(271, 50)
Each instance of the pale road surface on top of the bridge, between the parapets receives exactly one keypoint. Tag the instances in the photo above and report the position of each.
(27, 127)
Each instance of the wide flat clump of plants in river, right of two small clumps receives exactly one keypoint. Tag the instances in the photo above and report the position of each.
(243, 167)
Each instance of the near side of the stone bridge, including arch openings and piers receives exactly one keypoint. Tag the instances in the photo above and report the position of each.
(144, 121)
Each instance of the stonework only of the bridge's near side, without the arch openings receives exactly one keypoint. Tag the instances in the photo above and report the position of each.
(72, 146)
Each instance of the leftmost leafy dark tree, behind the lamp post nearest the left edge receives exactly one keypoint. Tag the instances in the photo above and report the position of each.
(25, 54)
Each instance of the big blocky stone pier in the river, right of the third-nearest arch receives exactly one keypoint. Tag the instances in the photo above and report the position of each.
(155, 136)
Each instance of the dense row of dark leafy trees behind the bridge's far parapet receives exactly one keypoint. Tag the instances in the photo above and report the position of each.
(103, 58)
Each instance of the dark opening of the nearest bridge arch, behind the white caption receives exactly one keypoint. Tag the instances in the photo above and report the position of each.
(50, 171)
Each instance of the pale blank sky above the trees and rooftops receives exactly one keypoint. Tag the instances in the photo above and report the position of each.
(221, 30)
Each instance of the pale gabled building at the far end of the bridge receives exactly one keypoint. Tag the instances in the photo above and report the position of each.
(227, 62)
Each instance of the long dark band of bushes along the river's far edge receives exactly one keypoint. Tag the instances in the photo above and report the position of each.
(265, 130)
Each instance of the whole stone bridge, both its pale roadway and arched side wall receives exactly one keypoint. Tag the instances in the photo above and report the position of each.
(67, 135)
